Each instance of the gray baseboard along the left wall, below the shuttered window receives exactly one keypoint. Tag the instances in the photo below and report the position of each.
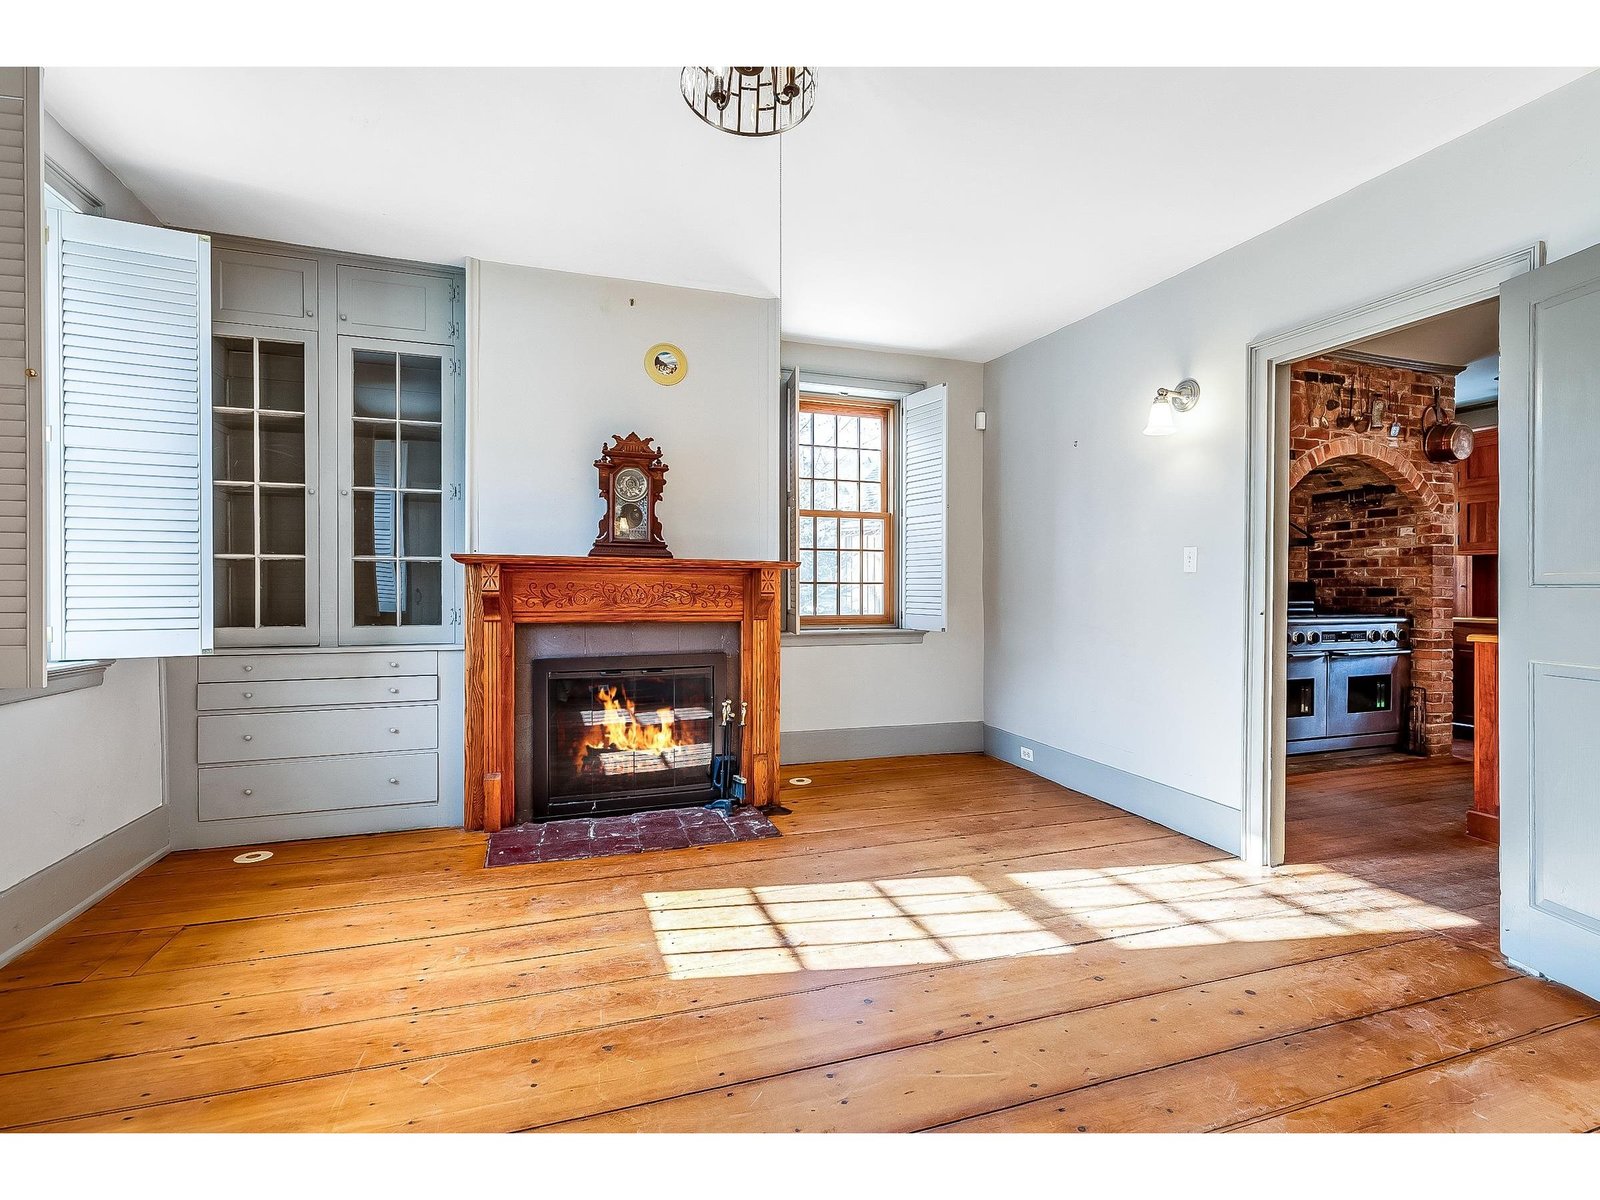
(47, 900)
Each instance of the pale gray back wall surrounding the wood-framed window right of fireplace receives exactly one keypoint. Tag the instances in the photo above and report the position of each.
(942, 681)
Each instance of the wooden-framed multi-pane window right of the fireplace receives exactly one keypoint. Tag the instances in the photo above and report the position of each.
(844, 486)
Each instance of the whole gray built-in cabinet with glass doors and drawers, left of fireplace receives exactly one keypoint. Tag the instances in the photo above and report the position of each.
(337, 503)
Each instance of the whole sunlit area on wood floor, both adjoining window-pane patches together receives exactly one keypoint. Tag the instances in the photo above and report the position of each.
(934, 921)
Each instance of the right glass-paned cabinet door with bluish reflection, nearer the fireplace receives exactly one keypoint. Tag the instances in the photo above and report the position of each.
(398, 476)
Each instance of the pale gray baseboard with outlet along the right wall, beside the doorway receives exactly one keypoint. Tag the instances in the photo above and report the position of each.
(1183, 812)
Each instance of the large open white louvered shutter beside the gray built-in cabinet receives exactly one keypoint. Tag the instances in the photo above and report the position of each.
(132, 454)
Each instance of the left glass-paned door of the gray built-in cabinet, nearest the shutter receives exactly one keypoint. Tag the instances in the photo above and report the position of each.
(265, 486)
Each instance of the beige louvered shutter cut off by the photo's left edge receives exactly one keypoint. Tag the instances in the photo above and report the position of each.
(22, 351)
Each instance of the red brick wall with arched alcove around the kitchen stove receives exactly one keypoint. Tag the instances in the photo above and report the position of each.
(1382, 514)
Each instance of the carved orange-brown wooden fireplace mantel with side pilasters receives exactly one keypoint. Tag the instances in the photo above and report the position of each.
(506, 591)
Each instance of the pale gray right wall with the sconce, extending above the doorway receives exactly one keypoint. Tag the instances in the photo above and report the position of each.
(1097, 641)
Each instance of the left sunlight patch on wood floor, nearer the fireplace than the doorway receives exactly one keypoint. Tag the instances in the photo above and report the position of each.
(831, 927)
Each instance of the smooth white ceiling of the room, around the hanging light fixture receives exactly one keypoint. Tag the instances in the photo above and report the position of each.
(958, 212)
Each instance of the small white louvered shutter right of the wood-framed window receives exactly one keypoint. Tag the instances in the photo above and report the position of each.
(924, 490)
